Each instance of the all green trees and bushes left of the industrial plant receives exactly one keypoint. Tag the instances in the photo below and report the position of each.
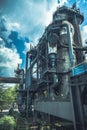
(12, 121)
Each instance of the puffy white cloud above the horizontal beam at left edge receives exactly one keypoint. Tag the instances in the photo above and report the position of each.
(8, 61)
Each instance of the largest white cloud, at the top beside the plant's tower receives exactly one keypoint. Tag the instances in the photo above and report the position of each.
(30, 17)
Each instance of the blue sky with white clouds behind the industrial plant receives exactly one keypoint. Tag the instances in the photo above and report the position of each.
(23, 22)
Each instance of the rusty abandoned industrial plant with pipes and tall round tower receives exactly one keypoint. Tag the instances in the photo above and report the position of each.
(53, 84)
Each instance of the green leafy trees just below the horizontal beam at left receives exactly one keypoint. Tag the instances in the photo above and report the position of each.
(8, 97)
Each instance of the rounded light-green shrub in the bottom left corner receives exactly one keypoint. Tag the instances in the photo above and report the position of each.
(7, 123)
